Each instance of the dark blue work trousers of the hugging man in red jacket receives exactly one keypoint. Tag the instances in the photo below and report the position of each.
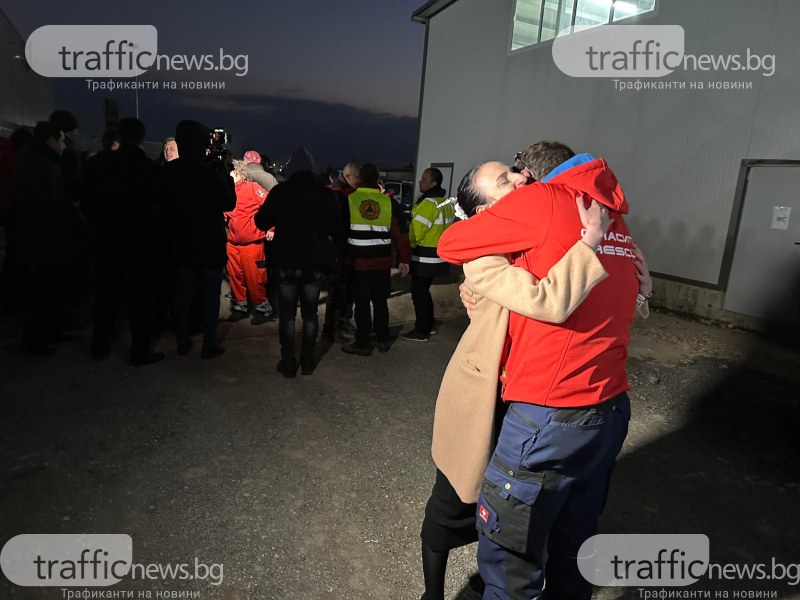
(542, 495)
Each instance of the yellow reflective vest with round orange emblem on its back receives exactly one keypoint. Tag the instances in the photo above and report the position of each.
(370, 223)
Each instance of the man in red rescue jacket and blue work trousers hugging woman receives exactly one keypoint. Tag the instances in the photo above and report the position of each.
(565, 383)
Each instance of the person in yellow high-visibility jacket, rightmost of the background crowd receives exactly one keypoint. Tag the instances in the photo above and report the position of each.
(431, 216)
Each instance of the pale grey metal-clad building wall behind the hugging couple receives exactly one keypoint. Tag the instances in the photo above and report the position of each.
(677, 153)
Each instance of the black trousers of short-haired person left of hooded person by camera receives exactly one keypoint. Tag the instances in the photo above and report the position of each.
(117, 284)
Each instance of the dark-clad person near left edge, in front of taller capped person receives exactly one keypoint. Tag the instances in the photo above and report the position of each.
(47, 235)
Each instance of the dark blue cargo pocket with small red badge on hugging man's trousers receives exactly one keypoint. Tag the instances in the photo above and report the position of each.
(506, 503)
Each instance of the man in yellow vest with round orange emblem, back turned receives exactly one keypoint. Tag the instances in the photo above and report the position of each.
(373, 230)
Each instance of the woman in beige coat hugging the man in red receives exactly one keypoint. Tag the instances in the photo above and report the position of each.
(463, 431)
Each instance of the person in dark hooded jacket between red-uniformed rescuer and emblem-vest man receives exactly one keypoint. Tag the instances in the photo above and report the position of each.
(303, 213)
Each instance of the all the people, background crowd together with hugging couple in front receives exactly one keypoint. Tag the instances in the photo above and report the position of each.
(532, 410)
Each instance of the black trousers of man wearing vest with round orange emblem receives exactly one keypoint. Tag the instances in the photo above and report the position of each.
(371, 295)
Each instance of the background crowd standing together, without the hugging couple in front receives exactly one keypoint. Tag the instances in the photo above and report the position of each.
(161, 234)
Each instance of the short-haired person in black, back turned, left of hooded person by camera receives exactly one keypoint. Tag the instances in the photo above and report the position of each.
(121, 189)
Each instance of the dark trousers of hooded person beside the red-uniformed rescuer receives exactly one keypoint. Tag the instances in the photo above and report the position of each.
(294, 285)
